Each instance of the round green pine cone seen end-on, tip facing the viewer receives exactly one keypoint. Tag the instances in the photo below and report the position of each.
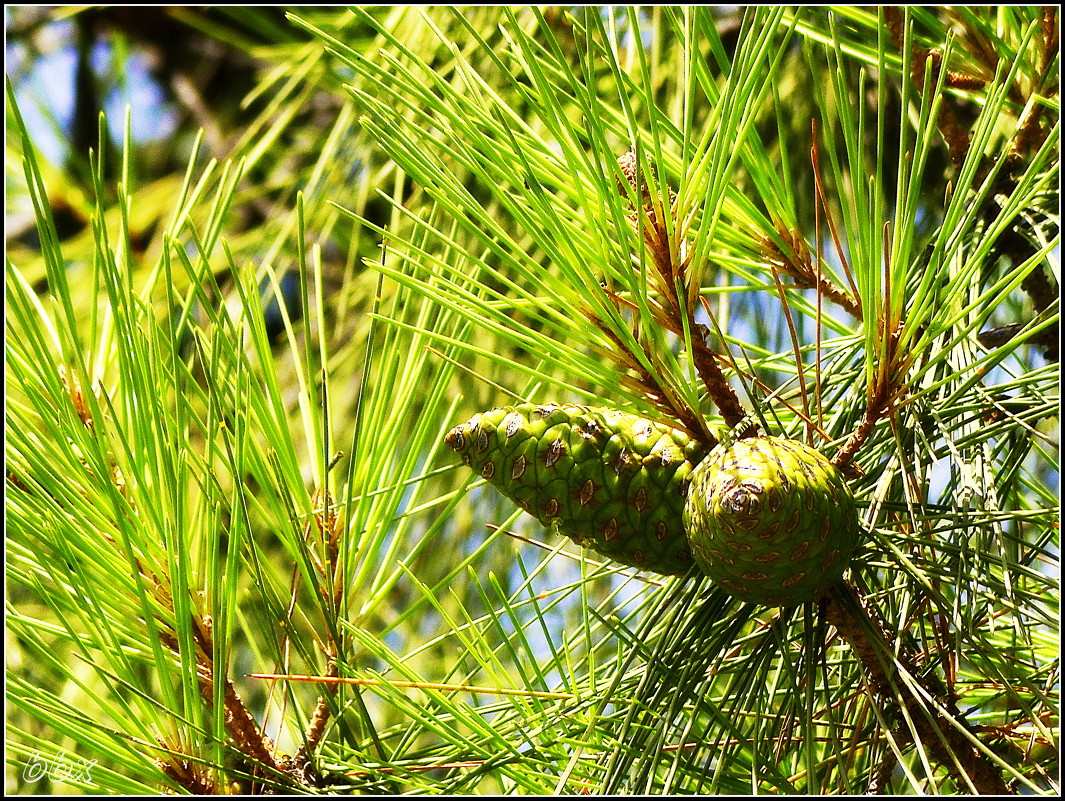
(772, 521)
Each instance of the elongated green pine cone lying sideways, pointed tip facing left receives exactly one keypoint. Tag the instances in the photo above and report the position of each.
(611, 482)
